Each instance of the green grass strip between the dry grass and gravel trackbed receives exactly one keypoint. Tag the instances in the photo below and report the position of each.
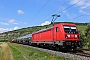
(25, 53)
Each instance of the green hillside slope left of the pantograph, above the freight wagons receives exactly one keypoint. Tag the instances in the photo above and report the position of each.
(20, 32)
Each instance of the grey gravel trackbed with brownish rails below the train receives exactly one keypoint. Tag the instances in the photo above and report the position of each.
(79, 55)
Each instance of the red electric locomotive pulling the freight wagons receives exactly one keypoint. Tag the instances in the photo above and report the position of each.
(62, 35)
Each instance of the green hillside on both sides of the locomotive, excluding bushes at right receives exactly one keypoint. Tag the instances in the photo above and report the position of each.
(24, 31)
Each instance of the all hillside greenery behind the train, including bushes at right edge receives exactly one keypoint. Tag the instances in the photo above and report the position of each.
(6, 36)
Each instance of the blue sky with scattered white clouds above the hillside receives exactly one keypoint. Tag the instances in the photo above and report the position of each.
(17, 14)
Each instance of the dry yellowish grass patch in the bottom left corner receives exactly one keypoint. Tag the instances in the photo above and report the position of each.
(5, 53)
